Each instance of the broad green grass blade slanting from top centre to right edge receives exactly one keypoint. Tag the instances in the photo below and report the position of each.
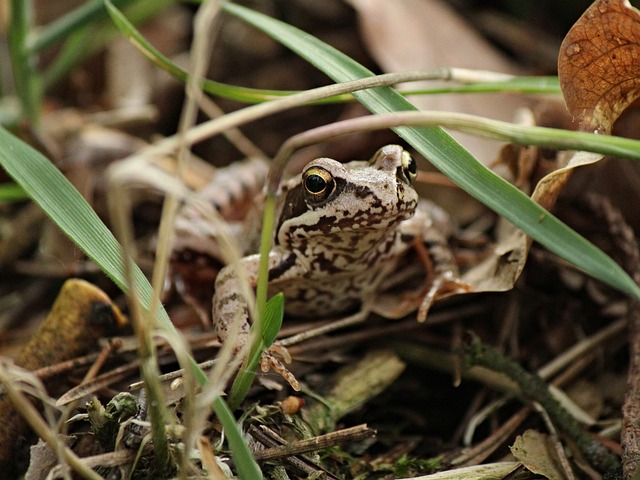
(450, 157)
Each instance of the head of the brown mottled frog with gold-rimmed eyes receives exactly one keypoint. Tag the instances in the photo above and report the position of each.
(333, 199)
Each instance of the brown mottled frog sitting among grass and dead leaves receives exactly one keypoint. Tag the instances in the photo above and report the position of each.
(341, 237)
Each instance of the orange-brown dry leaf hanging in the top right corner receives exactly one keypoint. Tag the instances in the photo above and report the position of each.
(599, 66)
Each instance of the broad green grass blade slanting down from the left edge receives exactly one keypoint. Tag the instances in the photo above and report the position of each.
(68, 209)
